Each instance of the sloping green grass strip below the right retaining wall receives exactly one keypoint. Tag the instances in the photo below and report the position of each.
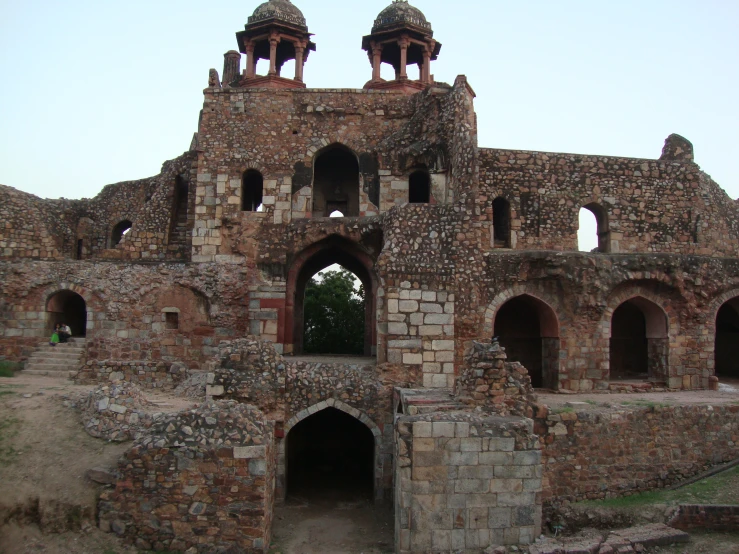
(719, 489)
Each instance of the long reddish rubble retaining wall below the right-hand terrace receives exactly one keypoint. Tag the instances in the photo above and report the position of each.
(590, 455)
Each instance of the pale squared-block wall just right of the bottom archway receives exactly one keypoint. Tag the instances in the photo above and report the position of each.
(465, 482)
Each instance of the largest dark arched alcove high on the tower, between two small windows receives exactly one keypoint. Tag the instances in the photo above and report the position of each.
(336, 182)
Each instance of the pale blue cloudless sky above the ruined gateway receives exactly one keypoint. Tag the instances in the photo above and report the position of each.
(95, 92)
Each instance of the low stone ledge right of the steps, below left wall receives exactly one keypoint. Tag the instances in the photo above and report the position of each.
(145, 374)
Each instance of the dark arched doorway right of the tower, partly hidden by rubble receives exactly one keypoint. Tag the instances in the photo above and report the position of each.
(527, 328)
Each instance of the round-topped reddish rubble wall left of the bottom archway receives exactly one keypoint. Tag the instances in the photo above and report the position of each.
(202, 478)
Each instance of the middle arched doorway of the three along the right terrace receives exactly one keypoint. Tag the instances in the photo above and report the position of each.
(639, 344)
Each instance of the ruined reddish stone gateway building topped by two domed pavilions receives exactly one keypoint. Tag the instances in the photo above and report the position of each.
(204, 268)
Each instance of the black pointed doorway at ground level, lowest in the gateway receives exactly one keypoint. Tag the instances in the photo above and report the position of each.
(330, 456)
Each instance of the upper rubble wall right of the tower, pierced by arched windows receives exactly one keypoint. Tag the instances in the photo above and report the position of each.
(660, 205)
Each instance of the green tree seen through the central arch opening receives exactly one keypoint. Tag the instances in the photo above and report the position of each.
(334, 315)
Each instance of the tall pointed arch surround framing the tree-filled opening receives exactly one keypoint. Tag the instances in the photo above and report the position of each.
(334, 250)
